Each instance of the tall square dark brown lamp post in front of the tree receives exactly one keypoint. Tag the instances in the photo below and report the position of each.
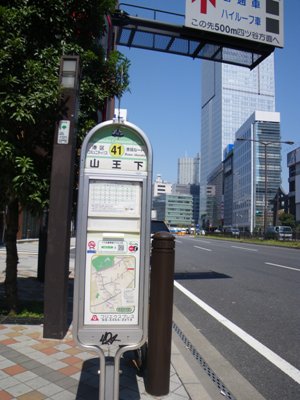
(61, 190)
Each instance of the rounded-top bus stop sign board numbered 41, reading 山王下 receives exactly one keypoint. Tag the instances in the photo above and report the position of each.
(113, 237)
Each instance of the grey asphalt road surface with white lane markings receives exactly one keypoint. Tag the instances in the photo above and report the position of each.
(248, 308)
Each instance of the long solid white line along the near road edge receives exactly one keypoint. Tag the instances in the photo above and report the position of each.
(274, 358)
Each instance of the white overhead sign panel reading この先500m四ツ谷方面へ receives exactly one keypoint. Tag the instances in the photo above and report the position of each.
(258, 21)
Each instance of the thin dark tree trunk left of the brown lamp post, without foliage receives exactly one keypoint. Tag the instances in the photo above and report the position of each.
(12, 227)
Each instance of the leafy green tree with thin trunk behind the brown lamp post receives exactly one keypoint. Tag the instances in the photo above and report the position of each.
(34, 34)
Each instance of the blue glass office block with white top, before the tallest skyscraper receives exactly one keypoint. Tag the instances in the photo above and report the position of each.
(256, 171)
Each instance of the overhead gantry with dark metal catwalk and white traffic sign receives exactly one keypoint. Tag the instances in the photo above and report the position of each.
(242, 32)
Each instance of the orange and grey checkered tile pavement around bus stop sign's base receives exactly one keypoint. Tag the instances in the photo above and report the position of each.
(33, 368)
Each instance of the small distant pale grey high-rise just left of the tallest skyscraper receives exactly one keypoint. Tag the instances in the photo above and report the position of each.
(188, 170)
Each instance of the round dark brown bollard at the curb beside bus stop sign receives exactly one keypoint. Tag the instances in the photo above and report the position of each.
(158, 363)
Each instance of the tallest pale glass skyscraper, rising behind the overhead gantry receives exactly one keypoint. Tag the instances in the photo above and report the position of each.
(230, 94)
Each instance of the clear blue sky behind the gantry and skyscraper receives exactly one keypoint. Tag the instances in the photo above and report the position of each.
(165, 91)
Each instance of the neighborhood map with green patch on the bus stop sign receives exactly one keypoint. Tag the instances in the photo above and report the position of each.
(113, 287)
